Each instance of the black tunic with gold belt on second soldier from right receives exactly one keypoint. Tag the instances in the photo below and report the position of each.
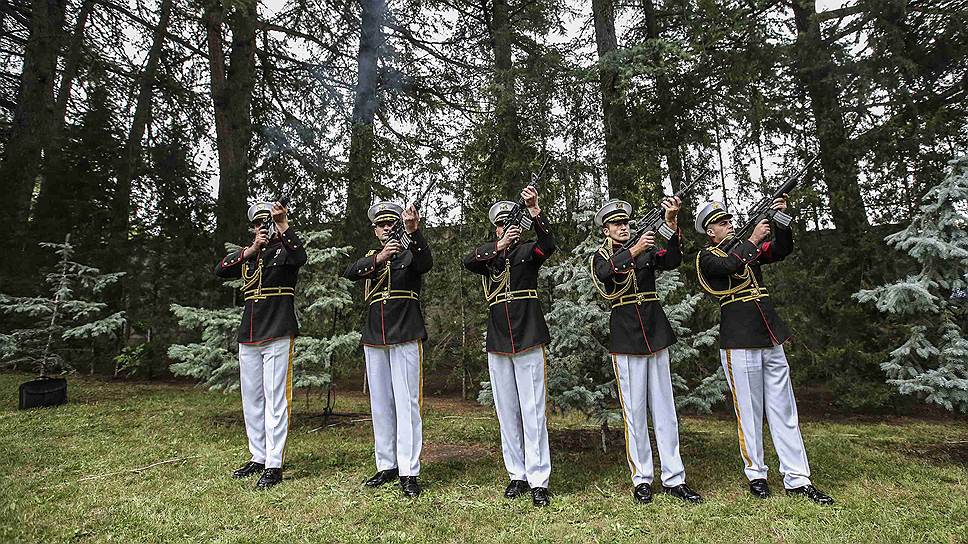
(638, 328)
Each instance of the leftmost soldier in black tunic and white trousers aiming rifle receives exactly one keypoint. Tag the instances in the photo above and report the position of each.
(268, 268)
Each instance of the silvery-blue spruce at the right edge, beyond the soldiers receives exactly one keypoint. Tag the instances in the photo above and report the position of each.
(933, 362)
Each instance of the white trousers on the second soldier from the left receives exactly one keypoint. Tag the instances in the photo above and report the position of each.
(396, 393)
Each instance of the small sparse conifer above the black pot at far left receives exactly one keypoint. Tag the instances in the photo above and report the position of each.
(64, 316)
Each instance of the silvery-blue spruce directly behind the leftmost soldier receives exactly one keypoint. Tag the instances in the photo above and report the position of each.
(321, 295)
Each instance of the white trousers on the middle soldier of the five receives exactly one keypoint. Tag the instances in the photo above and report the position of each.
(518, 387)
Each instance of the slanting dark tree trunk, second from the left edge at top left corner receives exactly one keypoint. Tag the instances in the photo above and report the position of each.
(56, 190)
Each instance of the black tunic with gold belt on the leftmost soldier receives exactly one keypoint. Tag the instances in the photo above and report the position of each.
(268, 314)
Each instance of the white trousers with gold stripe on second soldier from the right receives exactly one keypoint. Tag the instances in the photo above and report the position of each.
(645, 385)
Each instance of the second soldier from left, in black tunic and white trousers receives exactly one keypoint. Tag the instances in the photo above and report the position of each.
(393, 336)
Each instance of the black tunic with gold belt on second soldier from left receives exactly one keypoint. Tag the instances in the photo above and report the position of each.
(392, 292)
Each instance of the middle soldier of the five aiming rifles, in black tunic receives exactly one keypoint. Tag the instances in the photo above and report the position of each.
(516, 339)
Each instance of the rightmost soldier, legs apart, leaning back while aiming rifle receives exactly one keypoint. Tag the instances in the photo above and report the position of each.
(751, 341)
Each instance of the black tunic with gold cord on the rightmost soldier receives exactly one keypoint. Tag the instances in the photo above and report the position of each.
(747, 319)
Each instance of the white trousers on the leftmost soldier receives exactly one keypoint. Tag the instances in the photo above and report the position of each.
(266, 375)
